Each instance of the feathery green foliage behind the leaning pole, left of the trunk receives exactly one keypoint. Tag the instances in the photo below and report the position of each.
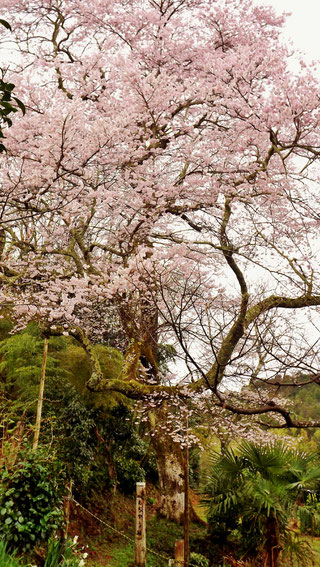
(94, 434)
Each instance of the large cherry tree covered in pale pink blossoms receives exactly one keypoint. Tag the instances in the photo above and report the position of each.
(163, 187)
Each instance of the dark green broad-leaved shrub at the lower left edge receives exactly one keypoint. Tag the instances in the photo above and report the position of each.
(30, 501)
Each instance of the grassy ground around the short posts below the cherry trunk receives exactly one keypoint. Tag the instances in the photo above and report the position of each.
(106, 548)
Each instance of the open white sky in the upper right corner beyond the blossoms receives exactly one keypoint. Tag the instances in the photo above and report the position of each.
(303, 26)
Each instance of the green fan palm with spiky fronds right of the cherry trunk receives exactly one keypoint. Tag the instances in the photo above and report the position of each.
(252, 492)
